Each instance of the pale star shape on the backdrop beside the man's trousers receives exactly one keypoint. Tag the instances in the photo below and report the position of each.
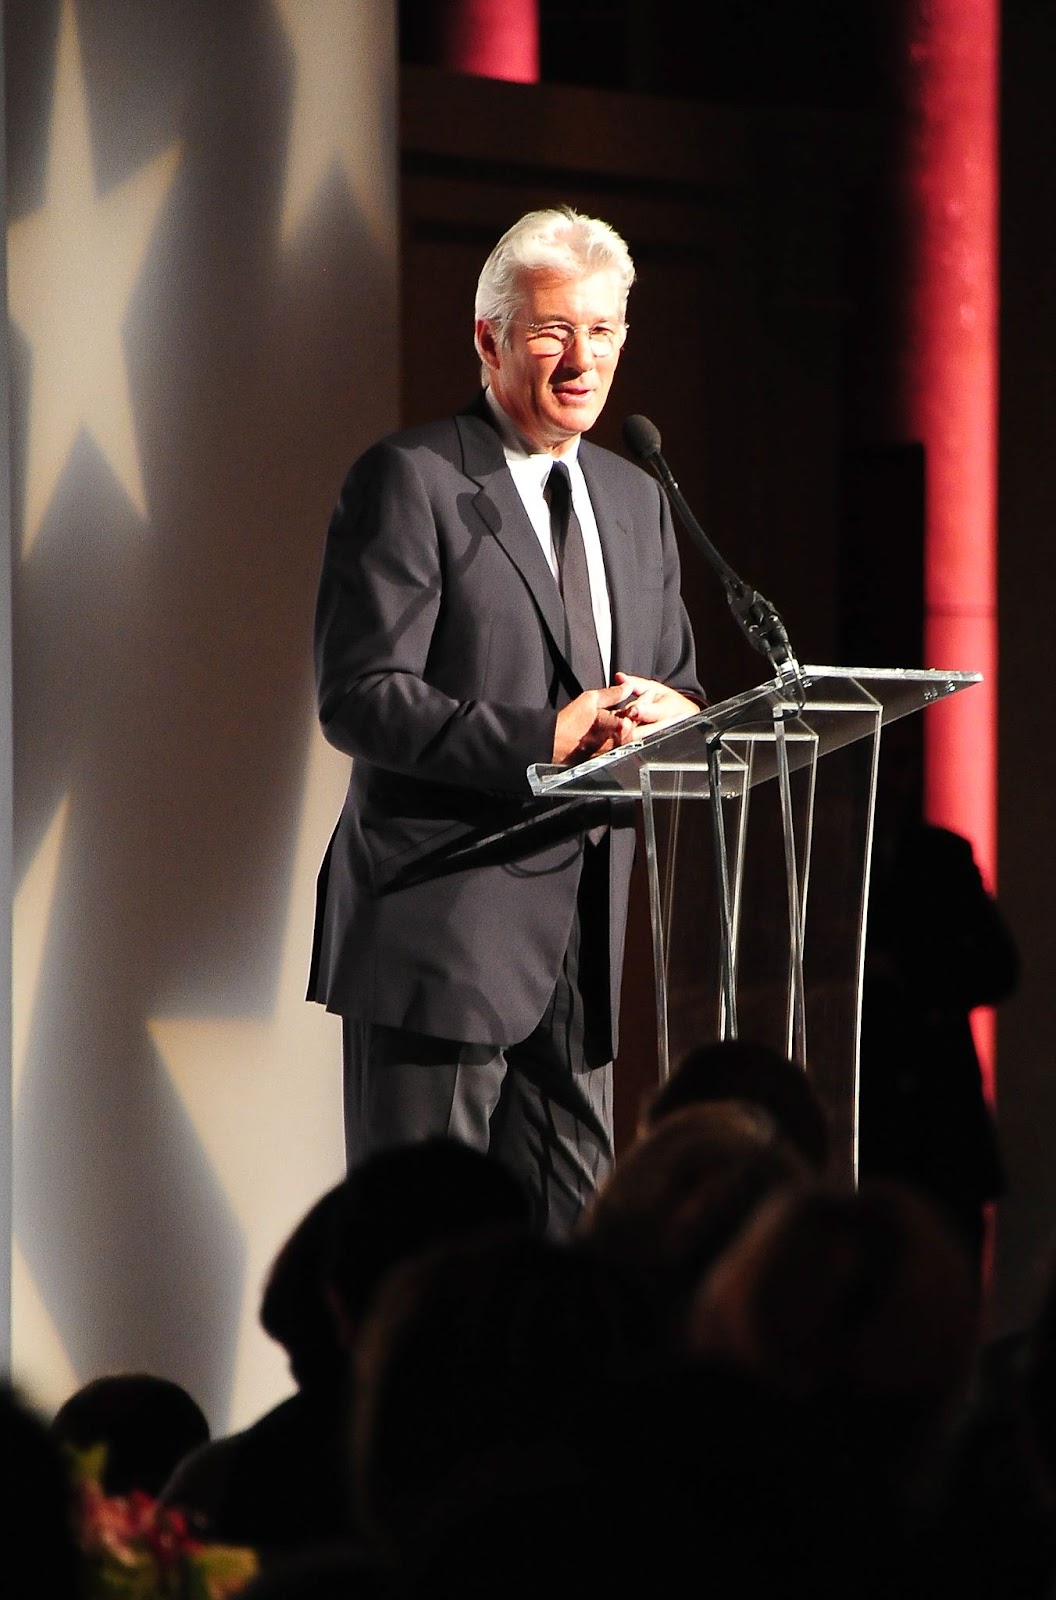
(234, 1081)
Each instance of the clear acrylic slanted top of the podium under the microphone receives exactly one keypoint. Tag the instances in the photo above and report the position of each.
(823, 710)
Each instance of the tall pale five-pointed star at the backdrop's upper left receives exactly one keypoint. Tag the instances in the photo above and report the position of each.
(73, 268)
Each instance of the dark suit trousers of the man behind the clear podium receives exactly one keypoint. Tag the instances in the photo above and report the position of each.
(542, 1106)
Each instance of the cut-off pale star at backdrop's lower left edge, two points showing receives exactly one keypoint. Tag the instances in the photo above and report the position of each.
(44, 1361)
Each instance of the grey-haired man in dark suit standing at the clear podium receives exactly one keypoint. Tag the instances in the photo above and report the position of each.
(470, 626)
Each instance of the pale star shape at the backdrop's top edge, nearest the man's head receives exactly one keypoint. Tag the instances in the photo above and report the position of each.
(332, 124)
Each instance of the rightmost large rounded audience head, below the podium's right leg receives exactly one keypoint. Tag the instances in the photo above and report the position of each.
(860, 1302)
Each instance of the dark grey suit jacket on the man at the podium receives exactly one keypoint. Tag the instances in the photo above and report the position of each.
(447, 894)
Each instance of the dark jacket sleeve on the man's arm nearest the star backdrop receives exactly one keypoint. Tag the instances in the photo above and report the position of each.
(380, 598)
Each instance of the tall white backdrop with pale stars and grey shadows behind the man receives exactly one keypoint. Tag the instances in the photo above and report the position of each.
(202, 294)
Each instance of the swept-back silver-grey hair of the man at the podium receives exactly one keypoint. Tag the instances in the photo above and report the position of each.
(556, 241)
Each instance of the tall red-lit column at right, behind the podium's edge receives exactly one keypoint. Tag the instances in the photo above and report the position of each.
(946, 386)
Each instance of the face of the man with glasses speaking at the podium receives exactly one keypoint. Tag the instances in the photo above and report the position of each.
(554, 393)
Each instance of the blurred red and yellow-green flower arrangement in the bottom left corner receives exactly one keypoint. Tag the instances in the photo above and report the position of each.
(137, 1550)
